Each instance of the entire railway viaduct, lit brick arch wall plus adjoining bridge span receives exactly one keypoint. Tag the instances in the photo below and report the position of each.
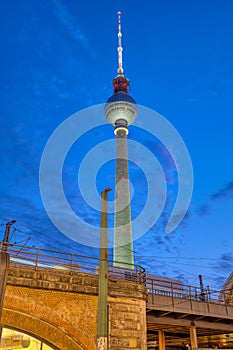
(60, 306)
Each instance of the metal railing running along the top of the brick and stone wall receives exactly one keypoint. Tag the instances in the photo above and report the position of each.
(40, 258)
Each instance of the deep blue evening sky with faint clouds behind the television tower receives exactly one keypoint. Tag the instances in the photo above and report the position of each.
(59, 56)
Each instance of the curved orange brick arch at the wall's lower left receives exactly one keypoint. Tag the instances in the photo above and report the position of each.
(45, 323)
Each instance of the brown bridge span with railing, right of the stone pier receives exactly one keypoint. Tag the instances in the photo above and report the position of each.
(175, 309)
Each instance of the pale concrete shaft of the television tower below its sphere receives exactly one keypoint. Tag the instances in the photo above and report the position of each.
(123, 250)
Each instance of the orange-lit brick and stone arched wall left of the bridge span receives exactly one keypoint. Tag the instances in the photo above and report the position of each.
(62, 309)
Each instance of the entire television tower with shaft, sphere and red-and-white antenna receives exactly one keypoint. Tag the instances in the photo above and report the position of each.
(121, 111)
